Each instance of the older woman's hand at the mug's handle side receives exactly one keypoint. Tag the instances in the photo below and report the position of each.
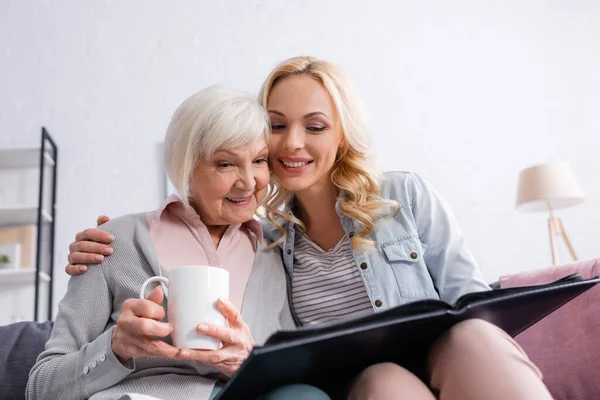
(139, 324)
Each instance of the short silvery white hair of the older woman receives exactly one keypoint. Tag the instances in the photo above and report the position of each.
(213, 119)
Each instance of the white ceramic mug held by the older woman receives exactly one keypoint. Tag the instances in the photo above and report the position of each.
(191, 299)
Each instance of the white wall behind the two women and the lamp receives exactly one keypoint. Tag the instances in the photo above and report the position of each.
(465, 92)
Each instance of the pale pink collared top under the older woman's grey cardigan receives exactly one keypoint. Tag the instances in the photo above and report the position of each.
(180, 238)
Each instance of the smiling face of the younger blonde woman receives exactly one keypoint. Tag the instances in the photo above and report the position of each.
(306, 133)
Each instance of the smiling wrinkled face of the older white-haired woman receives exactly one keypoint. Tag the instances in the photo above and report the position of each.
(228, 187)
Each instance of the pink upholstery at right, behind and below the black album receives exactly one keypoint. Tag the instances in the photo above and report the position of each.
(566, 344)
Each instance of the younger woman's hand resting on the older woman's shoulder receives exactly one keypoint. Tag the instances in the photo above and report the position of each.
(90, 247)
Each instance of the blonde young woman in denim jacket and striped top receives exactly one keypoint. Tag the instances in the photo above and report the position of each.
(356, 242)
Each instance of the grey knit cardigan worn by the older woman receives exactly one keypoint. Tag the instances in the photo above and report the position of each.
(78, 362)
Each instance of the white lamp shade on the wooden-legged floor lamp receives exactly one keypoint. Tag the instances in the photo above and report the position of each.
(548, 186)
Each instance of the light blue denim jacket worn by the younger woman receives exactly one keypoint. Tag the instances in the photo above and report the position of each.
(420, 252)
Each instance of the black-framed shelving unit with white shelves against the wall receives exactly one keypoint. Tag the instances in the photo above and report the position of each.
(16, 164)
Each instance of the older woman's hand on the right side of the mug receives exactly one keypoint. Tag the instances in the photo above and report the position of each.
(237, 342)
